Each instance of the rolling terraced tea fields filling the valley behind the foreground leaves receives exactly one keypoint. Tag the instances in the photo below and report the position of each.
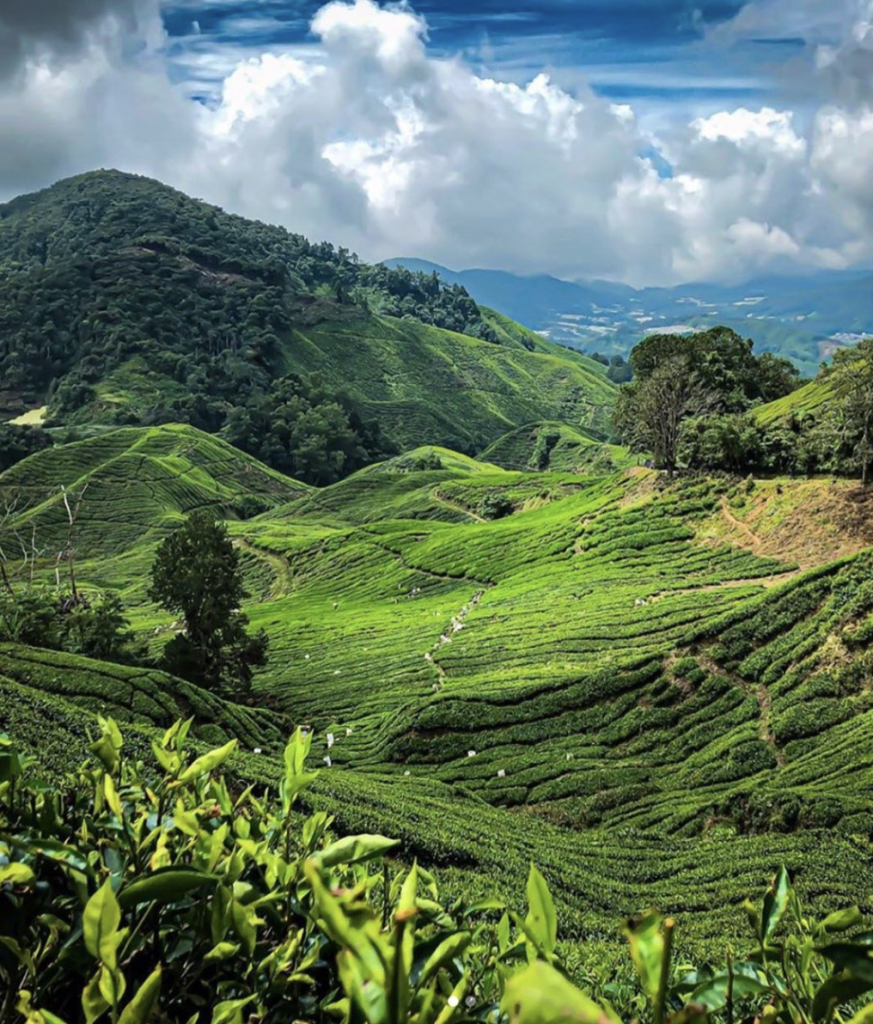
(512, 666)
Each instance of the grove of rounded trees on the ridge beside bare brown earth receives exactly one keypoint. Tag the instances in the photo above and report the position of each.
(680, 379)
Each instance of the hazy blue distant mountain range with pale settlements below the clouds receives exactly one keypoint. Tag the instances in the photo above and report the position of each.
(804, 319)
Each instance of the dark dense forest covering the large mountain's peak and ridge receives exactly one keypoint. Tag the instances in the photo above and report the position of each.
(109, 267)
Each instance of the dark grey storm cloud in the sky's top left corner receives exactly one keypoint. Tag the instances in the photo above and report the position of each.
(61, 28)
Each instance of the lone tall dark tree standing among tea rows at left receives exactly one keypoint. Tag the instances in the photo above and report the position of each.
(197, 574)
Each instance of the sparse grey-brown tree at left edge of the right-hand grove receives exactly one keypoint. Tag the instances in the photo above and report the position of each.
(650, 412)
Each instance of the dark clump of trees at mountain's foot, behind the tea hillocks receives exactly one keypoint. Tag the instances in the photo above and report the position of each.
(301, 429)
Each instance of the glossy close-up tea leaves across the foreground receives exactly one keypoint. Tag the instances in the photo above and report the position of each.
(162, 890)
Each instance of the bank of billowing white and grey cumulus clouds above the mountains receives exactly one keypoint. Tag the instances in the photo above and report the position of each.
(372, 142)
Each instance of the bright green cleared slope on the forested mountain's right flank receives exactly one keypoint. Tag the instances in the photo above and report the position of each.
(424, 385)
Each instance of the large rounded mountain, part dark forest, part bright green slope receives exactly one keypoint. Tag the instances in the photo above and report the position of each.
(127, 303)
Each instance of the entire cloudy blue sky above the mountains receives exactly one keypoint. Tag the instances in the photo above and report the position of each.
(651, 142)
